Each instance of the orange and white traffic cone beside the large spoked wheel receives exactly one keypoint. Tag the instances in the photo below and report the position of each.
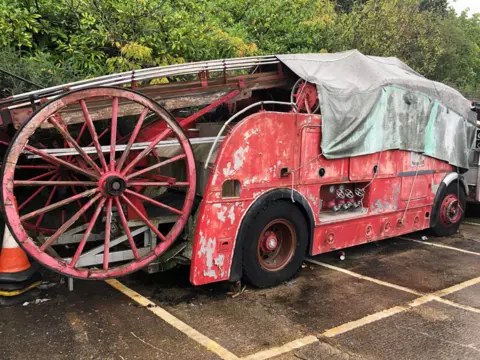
(18, 277)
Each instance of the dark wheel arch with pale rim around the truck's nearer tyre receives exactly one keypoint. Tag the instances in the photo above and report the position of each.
(277, 194)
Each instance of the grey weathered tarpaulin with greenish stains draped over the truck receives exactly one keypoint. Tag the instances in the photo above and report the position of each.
(370, 104)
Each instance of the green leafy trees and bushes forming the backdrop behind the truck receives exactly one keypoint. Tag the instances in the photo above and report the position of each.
(57, 41)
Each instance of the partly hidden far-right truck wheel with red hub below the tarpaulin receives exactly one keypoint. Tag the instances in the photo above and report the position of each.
(451, 210)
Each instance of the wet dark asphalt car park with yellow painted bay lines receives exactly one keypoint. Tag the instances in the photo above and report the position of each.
(402, 298)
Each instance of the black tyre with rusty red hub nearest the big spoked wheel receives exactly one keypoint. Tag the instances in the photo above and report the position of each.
(275, 244)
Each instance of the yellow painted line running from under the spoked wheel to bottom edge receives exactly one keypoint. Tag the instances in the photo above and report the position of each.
(173, 321)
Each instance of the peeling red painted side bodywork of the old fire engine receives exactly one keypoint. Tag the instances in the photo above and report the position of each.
(261, 145)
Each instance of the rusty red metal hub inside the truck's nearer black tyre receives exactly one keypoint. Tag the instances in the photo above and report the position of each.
(276, 245)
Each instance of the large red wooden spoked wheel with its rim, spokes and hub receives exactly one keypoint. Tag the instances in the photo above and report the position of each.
(99, 181)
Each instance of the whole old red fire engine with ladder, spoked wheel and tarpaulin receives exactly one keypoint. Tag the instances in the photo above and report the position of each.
(239, 167)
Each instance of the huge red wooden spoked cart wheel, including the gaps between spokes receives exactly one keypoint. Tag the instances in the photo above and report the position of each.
(92, 179)
